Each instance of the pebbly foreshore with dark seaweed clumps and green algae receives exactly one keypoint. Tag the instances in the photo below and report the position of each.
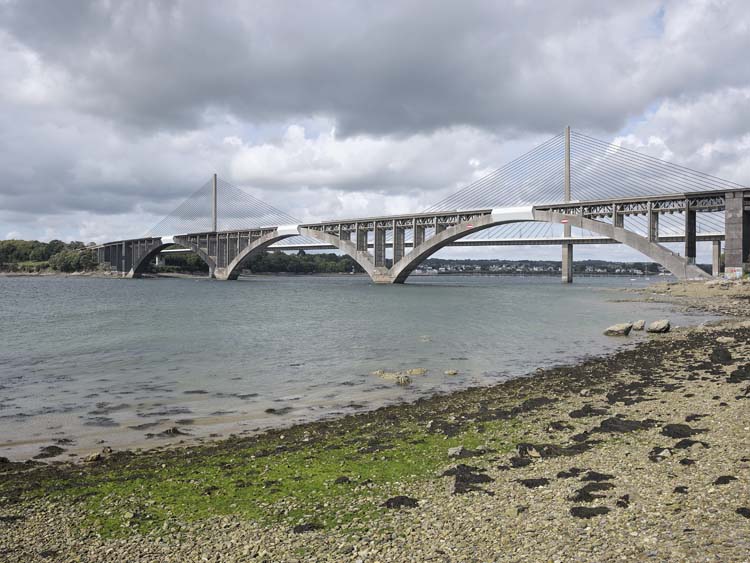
(643, 455)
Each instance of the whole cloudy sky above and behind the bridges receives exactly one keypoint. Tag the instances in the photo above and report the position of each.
(112, 112)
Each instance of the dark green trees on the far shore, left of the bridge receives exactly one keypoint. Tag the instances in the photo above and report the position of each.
(35, 256)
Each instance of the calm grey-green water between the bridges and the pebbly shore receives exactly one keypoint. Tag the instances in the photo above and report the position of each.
(92, 362)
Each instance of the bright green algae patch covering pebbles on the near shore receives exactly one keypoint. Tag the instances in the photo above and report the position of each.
(287, 476)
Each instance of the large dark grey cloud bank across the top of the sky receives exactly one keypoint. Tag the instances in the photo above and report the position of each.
(384, 68)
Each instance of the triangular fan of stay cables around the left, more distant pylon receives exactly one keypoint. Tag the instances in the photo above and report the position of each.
(236, 210)
